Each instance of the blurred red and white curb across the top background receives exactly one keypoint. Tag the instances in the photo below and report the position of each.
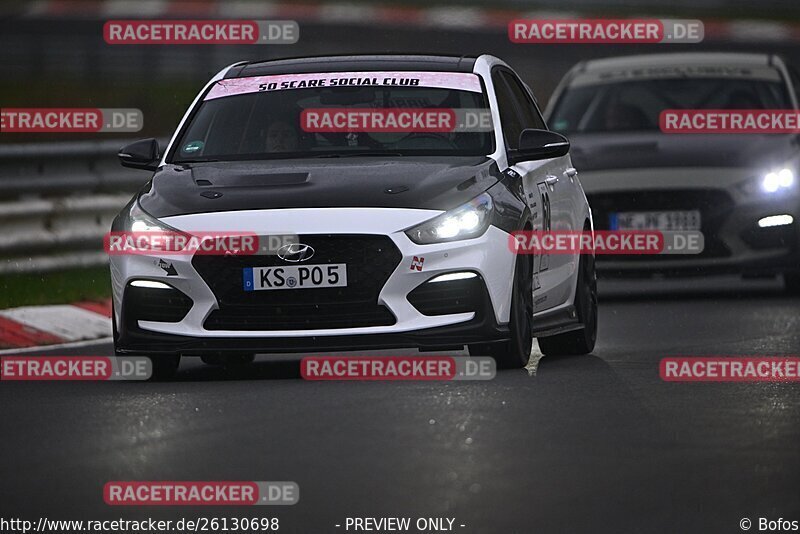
(449, 17)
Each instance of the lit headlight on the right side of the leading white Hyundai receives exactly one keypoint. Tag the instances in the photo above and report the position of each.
(464, 222)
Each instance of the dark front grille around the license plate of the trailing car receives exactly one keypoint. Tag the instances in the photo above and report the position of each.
(713, 205)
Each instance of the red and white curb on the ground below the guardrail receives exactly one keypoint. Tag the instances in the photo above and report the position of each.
(37, 326)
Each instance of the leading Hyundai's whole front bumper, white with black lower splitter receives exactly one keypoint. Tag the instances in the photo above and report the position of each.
(488, 256)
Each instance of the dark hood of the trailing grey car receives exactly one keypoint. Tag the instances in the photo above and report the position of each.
(641, 150)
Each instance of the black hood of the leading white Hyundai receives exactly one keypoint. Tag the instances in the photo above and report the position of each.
(439, 183)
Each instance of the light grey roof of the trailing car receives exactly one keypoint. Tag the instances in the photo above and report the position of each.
(683, 59)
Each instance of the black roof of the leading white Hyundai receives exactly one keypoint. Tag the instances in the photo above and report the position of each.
(353, 63)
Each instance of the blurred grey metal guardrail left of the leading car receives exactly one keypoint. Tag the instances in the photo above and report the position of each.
(57, 200)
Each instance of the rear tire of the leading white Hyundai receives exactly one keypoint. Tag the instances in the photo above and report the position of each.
(578, 341)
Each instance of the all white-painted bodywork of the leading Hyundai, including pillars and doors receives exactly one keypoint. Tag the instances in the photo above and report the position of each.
(488, 255)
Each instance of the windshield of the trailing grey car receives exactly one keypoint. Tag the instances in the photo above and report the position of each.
(636, 105)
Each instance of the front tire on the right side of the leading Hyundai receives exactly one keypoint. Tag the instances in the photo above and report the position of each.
(516, 352)
